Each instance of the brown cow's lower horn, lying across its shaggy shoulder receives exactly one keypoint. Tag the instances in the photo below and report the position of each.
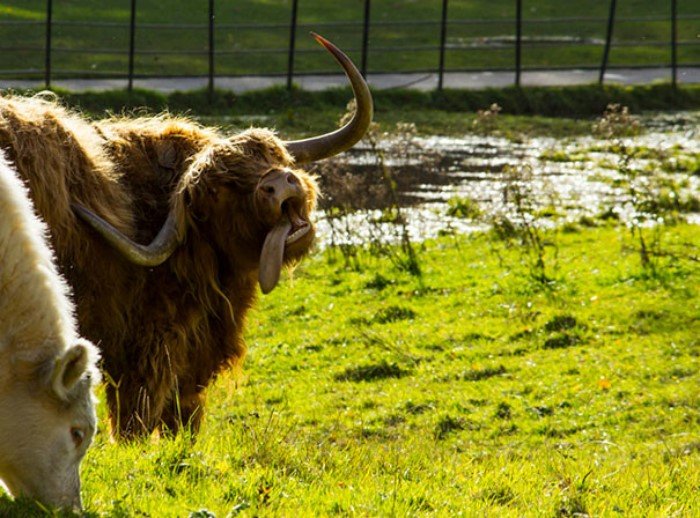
(162, 246)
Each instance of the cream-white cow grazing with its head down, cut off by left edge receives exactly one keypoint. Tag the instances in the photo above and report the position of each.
(47, 415)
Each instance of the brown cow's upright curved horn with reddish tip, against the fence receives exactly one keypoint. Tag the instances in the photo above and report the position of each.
(342, 139)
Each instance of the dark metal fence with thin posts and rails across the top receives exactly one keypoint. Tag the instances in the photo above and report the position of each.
(509, 44)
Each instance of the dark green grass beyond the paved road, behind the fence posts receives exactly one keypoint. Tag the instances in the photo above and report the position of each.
(479, 35)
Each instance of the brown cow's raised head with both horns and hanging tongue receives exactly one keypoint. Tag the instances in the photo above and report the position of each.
(248, 193)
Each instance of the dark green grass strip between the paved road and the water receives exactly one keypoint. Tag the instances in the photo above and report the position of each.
(559, 112)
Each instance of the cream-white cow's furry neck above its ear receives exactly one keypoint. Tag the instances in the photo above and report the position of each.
(36, 313)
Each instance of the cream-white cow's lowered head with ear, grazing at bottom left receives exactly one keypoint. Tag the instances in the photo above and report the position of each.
(48, 422)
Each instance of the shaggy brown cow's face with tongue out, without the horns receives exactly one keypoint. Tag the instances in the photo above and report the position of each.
(246, 196)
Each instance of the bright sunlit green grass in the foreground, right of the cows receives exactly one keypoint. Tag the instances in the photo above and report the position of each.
(470, 390)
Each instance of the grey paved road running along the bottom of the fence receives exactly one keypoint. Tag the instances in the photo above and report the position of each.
(429, 81)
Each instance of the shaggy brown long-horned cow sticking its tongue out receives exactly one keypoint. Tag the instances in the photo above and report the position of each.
(168, 316)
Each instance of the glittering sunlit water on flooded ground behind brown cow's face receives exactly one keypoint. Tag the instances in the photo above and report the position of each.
(574, 177)
